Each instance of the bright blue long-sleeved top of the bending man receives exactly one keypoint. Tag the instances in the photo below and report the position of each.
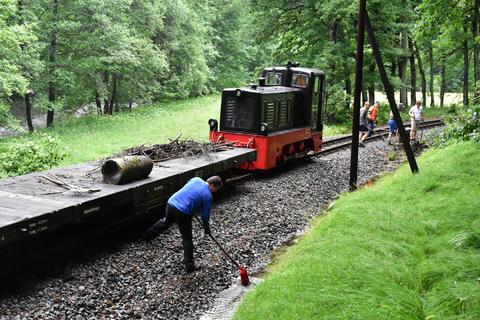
(194, 196)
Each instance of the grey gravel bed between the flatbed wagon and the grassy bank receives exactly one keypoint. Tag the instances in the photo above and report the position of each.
(140, 280)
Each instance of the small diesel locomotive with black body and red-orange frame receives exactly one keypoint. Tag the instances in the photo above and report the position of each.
(281, 116)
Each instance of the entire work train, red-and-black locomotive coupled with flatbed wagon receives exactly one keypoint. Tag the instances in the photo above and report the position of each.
(276, 120)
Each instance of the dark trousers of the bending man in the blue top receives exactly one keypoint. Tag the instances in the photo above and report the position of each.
(184, 223)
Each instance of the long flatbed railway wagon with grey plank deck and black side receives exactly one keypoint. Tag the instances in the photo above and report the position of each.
(33, 211)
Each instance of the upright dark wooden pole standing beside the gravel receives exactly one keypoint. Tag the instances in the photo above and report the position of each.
(356, 96)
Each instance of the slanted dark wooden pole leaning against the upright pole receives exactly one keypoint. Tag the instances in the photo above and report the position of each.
(390, 95)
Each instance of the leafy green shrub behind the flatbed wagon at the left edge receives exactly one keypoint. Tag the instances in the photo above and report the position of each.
(28, 156)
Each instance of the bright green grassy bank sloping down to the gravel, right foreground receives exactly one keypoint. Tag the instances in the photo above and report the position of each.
(406, 248)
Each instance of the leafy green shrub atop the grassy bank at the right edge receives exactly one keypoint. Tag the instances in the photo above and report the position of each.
(464, 127)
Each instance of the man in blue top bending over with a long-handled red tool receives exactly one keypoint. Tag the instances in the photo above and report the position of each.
(195, 196)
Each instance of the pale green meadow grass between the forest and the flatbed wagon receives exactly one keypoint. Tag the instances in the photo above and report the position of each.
(94, 137)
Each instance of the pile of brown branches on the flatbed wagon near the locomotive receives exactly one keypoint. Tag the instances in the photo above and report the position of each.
(177, 149)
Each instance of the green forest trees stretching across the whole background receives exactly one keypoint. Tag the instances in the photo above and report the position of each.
(111, 54)
